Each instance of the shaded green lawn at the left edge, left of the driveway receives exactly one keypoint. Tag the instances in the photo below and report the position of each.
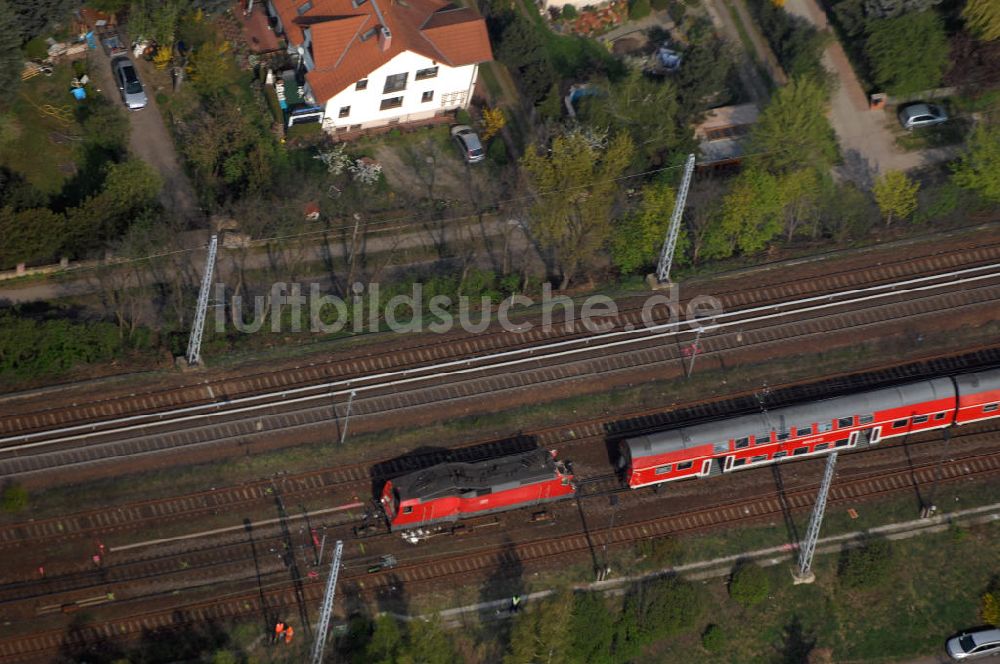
(43, 147)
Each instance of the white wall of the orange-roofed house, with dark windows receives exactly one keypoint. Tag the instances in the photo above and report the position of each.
(452, 89)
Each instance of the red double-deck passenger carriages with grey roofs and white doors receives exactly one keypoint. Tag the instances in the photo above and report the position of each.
(807, 429)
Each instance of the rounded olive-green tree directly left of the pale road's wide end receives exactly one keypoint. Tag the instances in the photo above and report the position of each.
(793, 132)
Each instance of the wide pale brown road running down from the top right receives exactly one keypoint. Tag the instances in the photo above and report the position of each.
(867, 144)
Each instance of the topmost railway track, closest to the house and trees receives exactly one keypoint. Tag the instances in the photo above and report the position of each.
(412, 352)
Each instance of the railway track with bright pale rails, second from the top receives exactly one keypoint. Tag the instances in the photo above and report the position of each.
(602, 357)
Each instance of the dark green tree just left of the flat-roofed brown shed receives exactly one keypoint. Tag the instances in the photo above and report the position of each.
(644, 108)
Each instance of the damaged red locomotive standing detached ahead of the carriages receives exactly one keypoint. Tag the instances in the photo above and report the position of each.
(452, 491)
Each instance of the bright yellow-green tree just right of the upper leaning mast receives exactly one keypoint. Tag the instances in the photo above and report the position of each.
(751, 216)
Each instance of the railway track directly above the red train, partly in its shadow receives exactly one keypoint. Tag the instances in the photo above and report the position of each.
(355, 479)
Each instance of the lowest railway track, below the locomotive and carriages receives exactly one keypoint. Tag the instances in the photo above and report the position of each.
(38, 646)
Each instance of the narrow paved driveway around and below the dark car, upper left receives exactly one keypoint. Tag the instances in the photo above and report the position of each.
(150, 142)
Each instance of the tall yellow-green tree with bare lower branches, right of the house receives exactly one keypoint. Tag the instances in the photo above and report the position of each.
(574, 190)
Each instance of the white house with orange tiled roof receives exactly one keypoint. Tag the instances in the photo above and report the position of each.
(371, 63)
